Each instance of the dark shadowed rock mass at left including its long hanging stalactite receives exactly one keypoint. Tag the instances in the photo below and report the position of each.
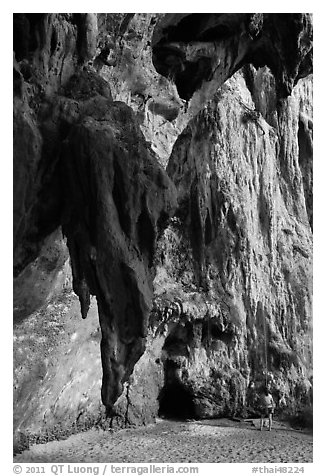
(83, 163)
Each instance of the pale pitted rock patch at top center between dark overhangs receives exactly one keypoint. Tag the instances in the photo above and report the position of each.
(125, 61)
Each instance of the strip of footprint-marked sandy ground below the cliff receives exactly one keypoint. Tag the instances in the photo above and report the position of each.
(214, 441)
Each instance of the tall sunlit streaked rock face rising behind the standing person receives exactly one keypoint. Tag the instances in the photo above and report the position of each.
(238, 254)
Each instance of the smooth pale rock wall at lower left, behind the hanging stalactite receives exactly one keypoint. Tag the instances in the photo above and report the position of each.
(57, 376)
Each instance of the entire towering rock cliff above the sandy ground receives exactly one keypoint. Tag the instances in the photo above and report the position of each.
(201, 272)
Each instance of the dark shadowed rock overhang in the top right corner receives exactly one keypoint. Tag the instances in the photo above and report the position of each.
(208, 48)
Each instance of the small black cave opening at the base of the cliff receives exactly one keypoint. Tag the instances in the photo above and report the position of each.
(175, 400)
